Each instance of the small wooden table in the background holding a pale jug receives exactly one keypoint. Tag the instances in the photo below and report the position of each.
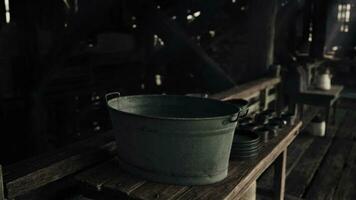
(323, 98)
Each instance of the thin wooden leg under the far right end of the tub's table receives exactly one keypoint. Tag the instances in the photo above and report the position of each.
(280, 175)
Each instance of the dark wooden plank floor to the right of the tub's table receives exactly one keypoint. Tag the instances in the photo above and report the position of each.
(321, 168)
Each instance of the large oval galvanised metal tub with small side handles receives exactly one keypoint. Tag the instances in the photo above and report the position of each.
(173, 139)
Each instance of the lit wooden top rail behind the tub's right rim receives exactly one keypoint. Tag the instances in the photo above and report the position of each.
(246, 90)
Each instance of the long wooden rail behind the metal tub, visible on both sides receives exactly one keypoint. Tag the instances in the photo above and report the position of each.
(32, 174)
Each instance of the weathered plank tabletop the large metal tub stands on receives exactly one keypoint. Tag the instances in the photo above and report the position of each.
(242, 173)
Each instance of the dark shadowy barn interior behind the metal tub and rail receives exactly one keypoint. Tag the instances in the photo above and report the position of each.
(58, 58)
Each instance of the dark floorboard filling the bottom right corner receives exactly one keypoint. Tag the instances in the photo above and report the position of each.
(346, 186)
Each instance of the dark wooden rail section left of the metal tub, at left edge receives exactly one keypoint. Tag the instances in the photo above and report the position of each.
(34, 173)
